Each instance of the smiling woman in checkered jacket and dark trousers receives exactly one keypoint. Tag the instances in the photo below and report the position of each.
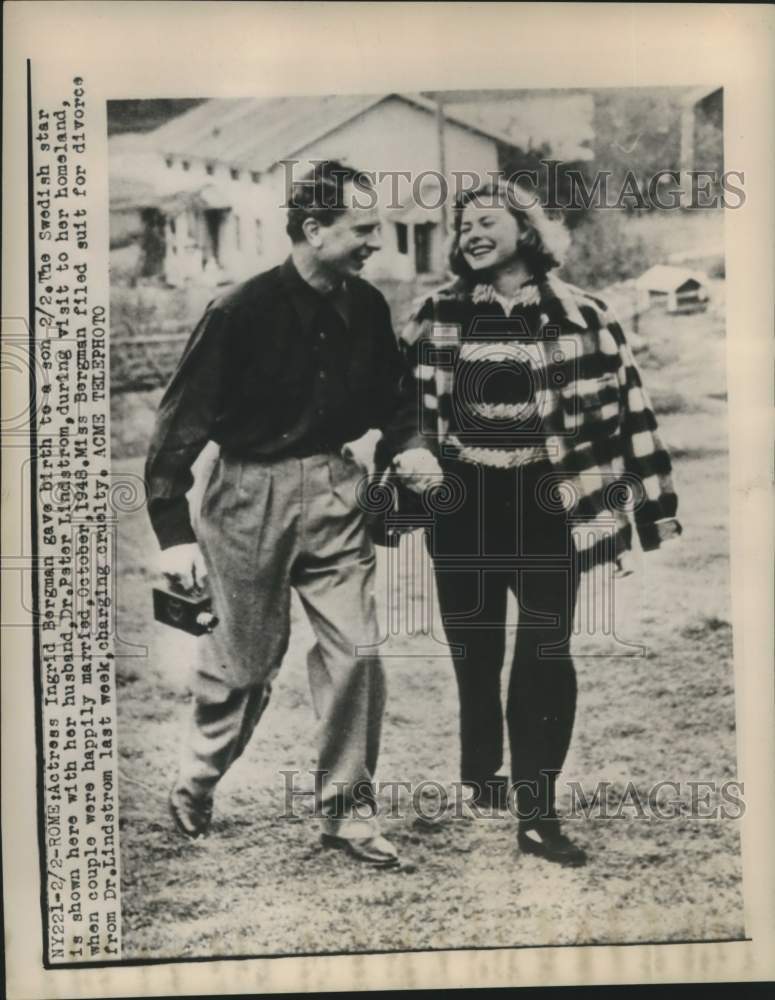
(527, 403)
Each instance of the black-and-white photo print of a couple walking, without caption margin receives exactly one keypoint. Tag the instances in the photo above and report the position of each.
(428, 394)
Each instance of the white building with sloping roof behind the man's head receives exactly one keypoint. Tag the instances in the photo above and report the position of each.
(201, 196)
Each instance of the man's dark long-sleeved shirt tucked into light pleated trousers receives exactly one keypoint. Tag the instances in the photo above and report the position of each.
(273, 370)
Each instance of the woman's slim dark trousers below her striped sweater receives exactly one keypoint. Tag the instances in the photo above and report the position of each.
(507, 533)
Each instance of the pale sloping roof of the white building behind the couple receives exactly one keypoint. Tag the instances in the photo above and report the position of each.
(255, 133)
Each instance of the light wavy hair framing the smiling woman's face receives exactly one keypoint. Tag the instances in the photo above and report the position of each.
(541, 243)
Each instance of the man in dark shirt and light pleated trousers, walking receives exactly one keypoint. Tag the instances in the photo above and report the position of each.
(281, 372)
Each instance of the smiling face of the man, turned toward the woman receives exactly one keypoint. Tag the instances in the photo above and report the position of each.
(354, 235)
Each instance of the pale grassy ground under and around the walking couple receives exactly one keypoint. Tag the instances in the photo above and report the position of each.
(262, 885)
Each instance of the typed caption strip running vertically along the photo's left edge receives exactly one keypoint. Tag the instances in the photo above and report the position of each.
(74, 540)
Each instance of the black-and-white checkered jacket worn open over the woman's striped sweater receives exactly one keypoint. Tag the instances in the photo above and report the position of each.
(609, 468)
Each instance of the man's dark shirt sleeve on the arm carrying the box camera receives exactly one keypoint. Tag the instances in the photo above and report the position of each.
(183, 427)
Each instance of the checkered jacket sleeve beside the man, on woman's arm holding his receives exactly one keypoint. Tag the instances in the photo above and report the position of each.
(415, 420)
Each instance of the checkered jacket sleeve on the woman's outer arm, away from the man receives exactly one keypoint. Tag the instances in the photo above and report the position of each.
(646, 460)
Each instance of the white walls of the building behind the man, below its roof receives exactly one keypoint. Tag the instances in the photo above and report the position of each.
(393, 136)
